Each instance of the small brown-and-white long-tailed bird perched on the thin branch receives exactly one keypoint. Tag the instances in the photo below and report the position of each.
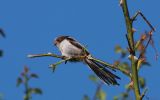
(71, 48)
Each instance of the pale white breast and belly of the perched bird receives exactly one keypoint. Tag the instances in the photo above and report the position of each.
(69, 50)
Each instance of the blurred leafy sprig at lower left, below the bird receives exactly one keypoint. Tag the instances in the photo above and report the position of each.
(24, 79)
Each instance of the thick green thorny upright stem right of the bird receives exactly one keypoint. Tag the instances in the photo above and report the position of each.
(130, 37)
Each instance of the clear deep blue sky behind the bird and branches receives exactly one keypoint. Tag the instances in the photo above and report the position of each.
(32, 25)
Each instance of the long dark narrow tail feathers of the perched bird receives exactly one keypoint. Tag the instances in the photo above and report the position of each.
(101, 71)
